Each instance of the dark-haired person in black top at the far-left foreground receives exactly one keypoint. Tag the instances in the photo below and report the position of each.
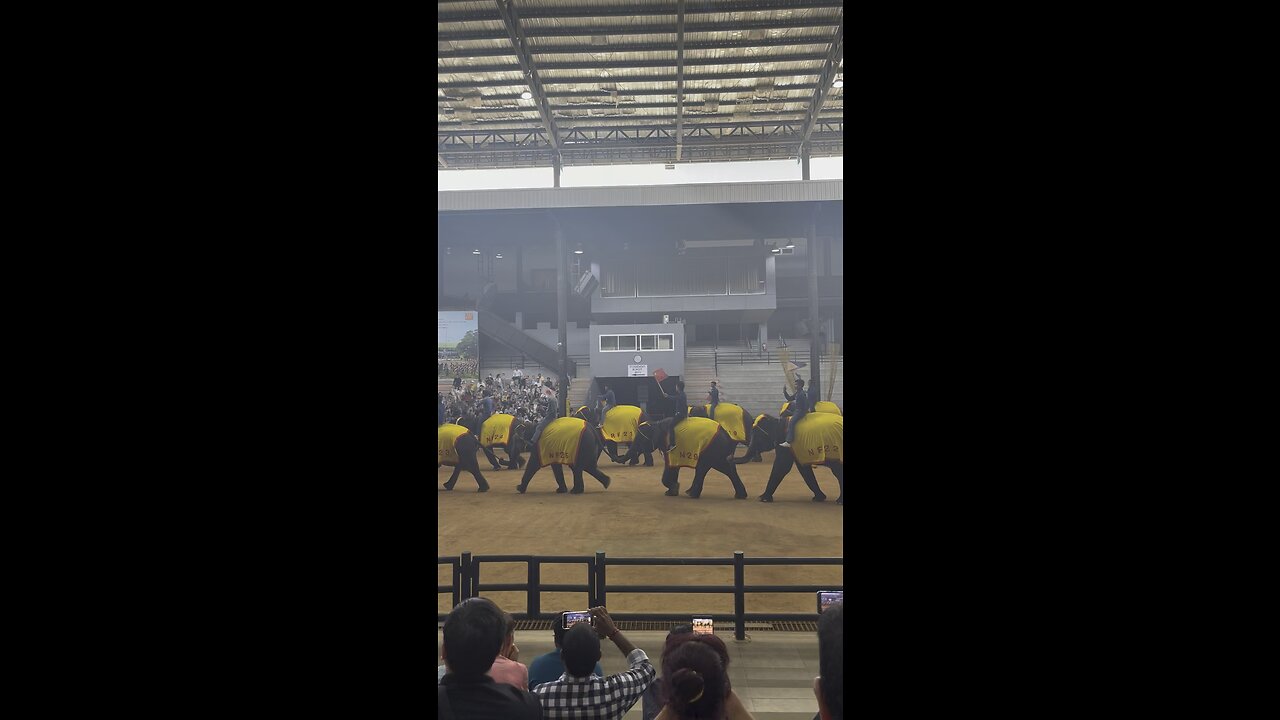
(474, 635)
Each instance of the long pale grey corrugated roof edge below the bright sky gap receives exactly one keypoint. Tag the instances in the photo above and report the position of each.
(708, 194)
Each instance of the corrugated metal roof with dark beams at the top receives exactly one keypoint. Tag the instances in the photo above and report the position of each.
(604, 65)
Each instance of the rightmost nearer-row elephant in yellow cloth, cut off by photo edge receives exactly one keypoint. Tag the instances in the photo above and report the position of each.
(820, 441)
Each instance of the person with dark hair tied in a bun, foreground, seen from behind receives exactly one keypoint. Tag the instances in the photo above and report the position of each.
(696, 681)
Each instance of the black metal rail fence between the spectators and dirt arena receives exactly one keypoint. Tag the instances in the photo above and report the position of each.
(468, 585)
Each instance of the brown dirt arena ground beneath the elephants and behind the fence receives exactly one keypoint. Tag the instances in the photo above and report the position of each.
(634, 520)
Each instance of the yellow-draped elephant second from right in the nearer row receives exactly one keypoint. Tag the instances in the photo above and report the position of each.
(716, 453)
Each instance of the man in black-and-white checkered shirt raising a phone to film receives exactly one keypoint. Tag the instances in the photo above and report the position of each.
(579, 695)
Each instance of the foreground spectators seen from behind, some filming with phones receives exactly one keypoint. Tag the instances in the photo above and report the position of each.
(483, 680)
